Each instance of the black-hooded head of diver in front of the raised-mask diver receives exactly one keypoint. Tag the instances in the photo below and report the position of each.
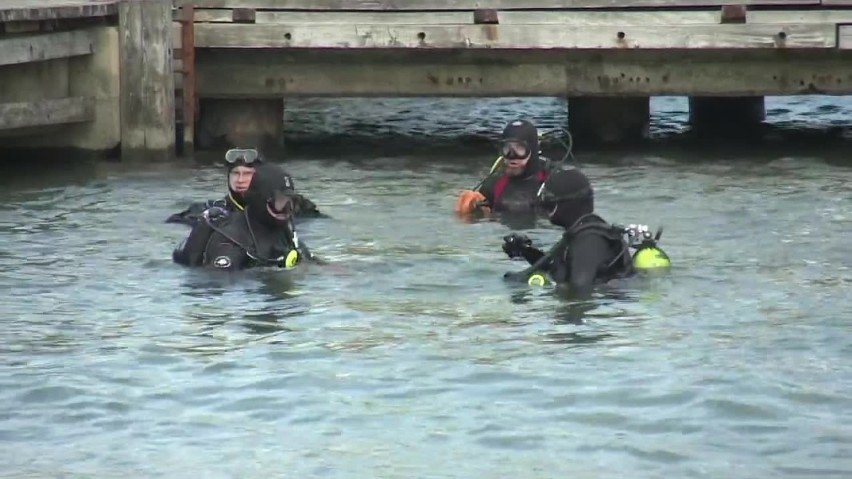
(271, 197)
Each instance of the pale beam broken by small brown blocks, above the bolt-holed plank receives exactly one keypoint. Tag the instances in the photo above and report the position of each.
(646, 18)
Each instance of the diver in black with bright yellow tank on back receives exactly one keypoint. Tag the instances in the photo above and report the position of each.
(591, 251)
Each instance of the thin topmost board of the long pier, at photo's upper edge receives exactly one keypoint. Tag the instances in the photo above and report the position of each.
(437, 5)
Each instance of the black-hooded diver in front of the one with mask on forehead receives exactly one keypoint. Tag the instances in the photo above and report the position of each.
(261, 234)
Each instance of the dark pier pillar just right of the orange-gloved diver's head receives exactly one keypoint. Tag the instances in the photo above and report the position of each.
(609, 120)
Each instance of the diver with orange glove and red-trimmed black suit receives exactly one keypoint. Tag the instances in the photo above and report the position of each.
(525, 170)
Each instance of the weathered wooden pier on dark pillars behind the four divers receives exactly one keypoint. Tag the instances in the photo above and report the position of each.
(129, 74)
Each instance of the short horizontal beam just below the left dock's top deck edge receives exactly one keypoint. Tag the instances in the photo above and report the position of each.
(33, 48)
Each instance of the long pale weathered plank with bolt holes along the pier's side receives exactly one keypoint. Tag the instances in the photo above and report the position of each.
(213, 35)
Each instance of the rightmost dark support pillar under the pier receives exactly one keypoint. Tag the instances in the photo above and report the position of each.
(726, 115)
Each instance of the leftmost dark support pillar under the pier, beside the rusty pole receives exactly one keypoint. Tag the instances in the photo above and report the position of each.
(226, 123)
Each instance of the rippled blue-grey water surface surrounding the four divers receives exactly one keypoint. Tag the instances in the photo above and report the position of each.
(410, 357)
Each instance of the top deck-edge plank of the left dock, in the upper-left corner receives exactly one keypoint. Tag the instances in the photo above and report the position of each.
(29, 10)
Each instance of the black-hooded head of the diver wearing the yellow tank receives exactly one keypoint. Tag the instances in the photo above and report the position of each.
(566, 196)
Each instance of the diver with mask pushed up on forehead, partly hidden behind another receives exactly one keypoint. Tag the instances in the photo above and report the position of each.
(241, 164)
